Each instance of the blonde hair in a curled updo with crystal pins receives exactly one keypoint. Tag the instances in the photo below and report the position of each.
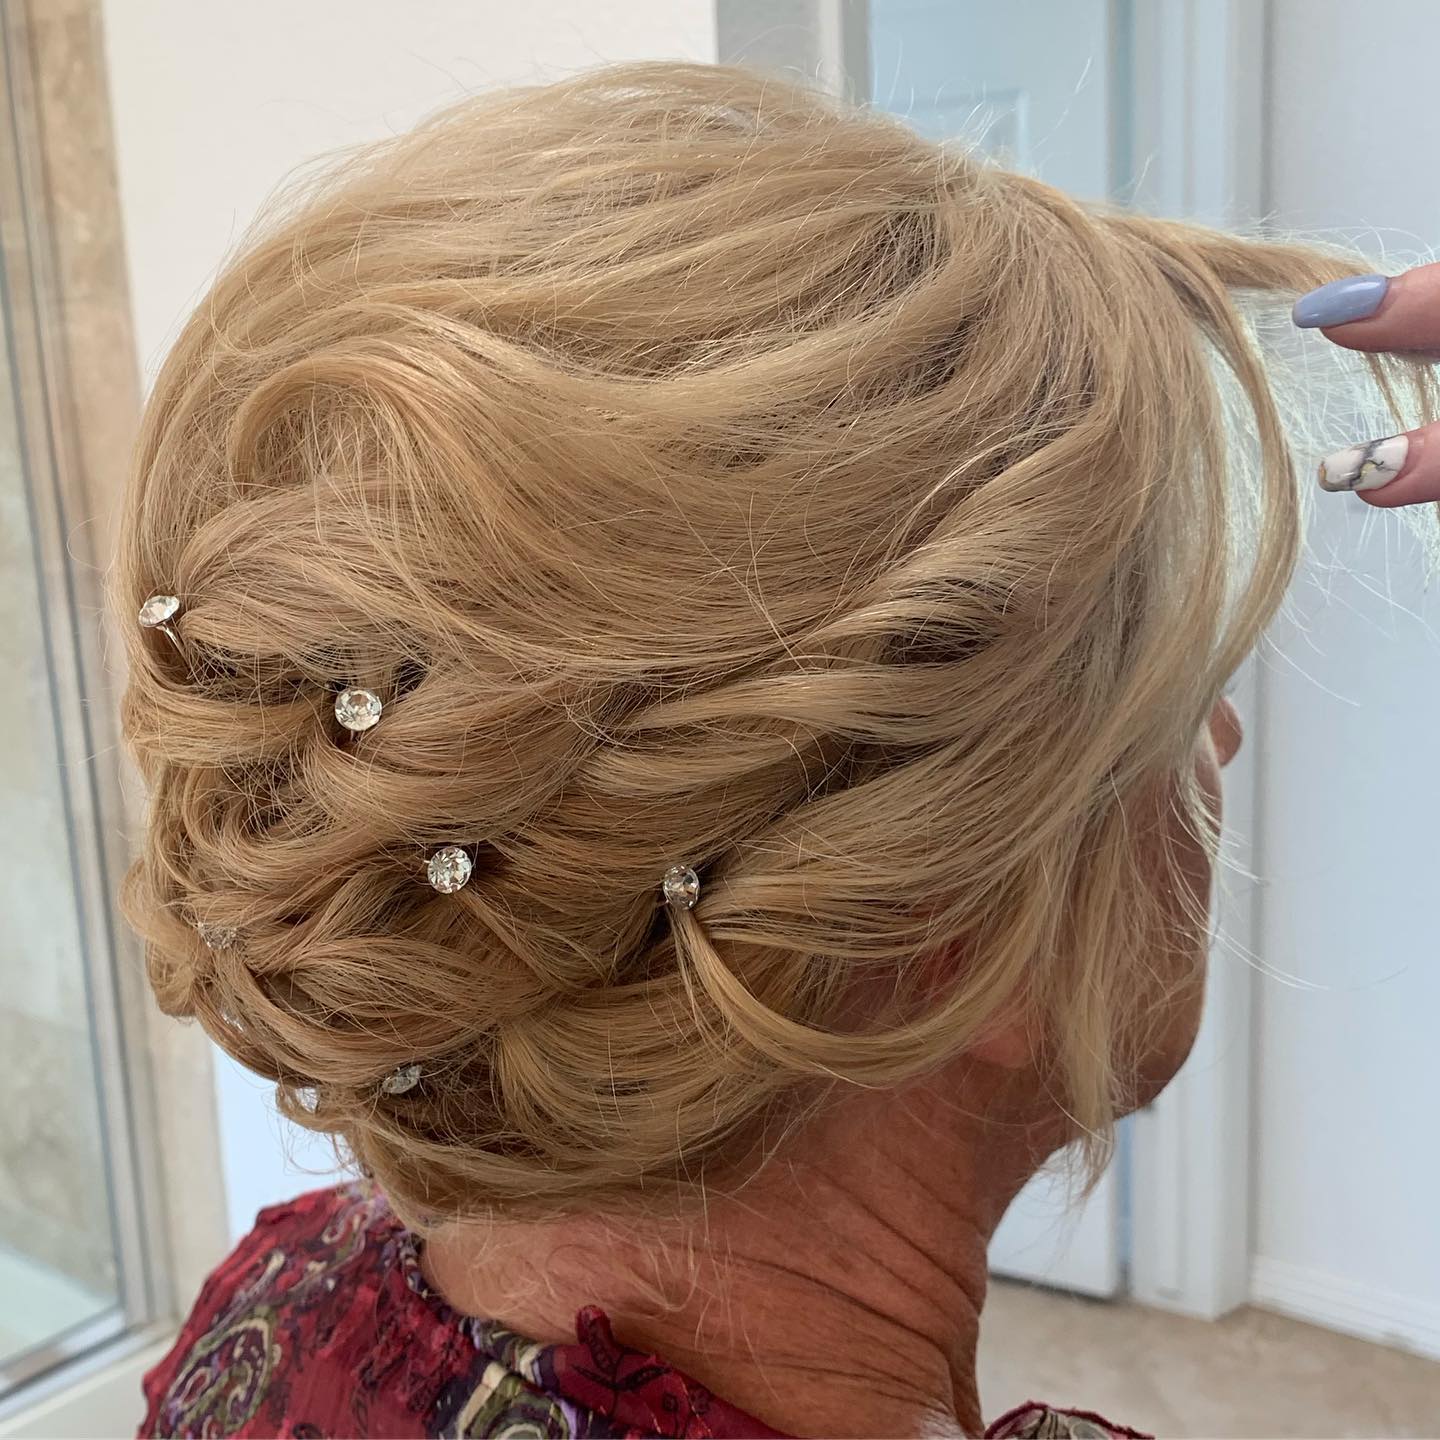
(702, 472)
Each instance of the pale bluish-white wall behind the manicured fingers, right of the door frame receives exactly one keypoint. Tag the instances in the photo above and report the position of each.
(1347, 1206)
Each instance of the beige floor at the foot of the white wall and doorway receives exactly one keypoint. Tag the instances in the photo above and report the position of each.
(1252, 1374)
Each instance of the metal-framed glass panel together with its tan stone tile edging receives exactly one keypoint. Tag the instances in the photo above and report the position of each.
(78, 1235)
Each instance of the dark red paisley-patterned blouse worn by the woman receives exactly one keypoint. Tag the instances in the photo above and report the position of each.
(322, 1326)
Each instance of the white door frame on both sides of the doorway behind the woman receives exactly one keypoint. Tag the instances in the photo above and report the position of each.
(1189, 143)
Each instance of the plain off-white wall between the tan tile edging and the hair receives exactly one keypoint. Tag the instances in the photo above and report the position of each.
(214, 103)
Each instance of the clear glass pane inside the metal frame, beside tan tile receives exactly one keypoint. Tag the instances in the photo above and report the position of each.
(58, 1254)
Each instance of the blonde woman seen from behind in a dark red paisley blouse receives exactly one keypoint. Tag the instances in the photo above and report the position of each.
(680, 660)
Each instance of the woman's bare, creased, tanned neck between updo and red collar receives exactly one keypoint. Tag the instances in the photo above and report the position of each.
(839, 1294)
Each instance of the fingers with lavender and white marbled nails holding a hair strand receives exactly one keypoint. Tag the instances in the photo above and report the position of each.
(1399, 315)
